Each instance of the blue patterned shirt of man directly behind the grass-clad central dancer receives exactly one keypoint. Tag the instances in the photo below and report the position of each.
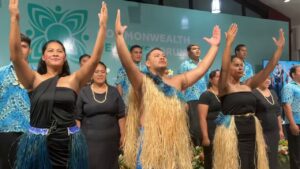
(123, 80)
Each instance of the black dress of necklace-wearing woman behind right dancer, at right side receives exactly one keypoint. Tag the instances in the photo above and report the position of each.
(267, 113)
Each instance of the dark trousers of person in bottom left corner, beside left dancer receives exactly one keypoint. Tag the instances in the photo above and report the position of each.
(8, 145)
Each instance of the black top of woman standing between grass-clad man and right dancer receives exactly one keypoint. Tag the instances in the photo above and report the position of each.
(210, 99)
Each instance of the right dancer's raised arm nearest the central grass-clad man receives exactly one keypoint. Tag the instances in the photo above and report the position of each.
(230, 37)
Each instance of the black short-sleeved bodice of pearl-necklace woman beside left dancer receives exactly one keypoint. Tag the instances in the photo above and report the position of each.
(87, 106)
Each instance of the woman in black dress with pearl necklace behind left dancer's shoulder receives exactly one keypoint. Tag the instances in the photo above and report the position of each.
(101, 112)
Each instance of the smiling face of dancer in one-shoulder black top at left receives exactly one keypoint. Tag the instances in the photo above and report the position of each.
(54, 55)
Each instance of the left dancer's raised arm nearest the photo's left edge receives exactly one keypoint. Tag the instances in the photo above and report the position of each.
(24, 73)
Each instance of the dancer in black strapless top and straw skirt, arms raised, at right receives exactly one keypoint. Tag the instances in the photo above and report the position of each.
(239, 140)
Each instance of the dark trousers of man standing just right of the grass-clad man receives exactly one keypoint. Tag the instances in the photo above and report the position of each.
(194, 122)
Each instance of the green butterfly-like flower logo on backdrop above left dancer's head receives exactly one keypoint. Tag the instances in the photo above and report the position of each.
(66, 26)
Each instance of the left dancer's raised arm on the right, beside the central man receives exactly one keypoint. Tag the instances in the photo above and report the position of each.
(84, 74)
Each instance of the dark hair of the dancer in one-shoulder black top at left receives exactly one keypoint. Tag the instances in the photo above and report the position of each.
(42, 67)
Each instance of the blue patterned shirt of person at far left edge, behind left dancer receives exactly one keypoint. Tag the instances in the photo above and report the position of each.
(14, 102)
